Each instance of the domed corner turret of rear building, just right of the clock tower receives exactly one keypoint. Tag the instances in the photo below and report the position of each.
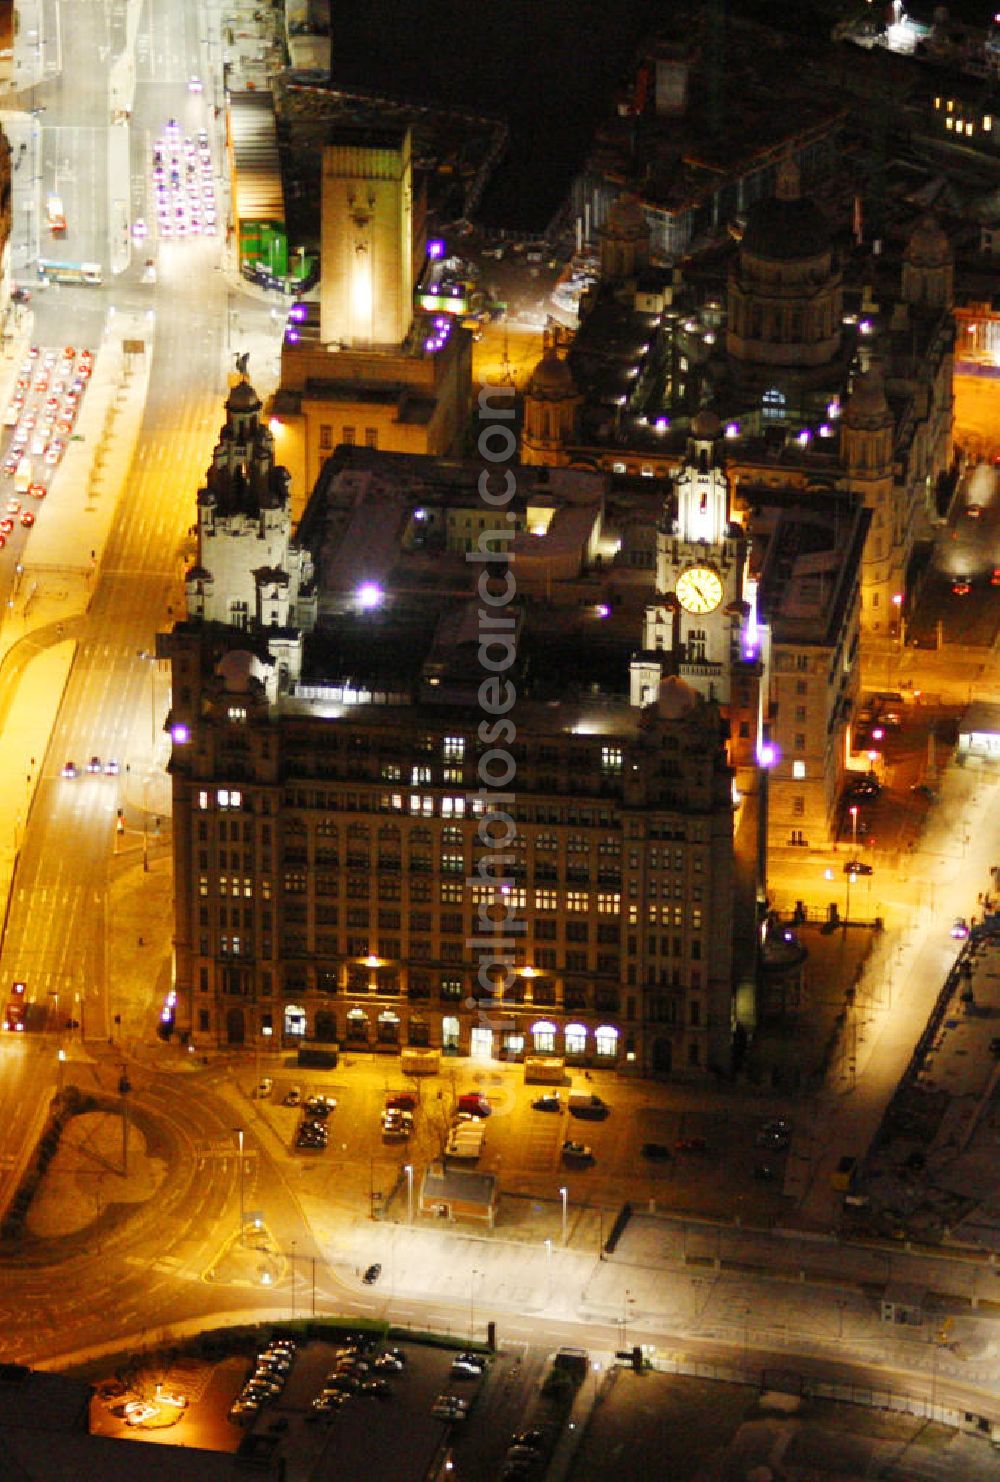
(866, 451)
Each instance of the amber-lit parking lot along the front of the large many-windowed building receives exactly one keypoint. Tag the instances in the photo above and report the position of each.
(361, 1169)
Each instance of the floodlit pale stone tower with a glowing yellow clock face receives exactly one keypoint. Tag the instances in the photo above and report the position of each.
(694, 625)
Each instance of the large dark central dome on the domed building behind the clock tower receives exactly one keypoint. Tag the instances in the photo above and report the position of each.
(786, 287)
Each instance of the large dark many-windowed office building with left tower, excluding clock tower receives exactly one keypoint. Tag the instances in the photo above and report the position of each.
(337, 874)
